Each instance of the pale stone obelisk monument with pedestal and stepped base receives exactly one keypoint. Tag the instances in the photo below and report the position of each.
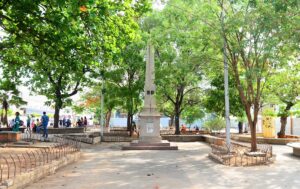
(149, 117)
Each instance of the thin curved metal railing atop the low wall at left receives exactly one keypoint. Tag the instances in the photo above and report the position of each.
(14, 163)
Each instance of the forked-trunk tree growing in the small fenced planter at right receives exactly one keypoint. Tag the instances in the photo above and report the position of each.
(255, 37)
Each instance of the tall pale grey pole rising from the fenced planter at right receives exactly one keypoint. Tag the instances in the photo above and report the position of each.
(226, 91)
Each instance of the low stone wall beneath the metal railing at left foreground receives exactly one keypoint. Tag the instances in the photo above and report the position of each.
(25, 179)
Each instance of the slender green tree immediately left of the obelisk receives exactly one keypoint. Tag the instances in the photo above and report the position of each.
(128, 77)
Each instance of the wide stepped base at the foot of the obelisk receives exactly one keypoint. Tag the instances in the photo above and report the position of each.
(142, 145)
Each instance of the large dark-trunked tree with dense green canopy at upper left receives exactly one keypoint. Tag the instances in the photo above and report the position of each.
(64, 40)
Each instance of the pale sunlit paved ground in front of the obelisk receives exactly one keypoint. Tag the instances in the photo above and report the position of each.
(105, 166)
